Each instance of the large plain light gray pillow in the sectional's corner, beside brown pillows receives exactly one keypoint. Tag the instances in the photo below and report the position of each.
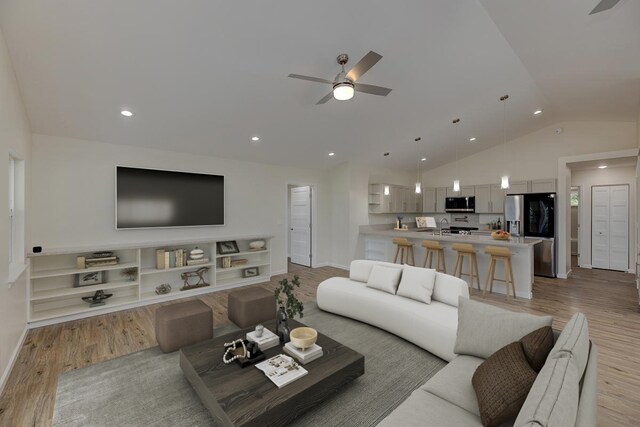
(484, 329)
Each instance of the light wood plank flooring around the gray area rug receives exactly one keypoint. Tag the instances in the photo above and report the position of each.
(609, 300)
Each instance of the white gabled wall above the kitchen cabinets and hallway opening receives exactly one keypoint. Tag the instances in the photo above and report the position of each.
(535, 155)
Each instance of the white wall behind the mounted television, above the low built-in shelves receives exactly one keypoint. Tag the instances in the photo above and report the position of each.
(73, 196)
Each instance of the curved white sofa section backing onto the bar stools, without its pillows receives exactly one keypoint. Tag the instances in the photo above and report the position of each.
(433, 326)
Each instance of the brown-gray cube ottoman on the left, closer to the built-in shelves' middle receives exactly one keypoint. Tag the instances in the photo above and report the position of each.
(182, 324)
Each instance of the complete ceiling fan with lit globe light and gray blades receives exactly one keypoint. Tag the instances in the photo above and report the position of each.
(344, 85)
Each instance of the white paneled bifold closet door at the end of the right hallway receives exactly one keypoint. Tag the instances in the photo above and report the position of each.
(610, 227)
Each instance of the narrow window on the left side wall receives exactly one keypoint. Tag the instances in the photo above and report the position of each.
(16, 217)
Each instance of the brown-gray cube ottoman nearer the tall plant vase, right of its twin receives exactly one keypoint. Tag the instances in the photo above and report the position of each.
(248, 307)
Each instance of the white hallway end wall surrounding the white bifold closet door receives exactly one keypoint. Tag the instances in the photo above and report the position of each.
(610, 176)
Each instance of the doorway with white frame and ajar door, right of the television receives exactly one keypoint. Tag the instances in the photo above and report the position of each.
(300, 225)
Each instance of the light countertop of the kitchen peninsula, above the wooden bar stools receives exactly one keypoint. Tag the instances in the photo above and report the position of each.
(453, 238)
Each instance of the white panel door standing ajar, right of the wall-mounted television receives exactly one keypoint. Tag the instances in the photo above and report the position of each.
(300, 218)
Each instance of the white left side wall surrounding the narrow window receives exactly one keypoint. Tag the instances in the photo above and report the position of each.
(14, 137)
